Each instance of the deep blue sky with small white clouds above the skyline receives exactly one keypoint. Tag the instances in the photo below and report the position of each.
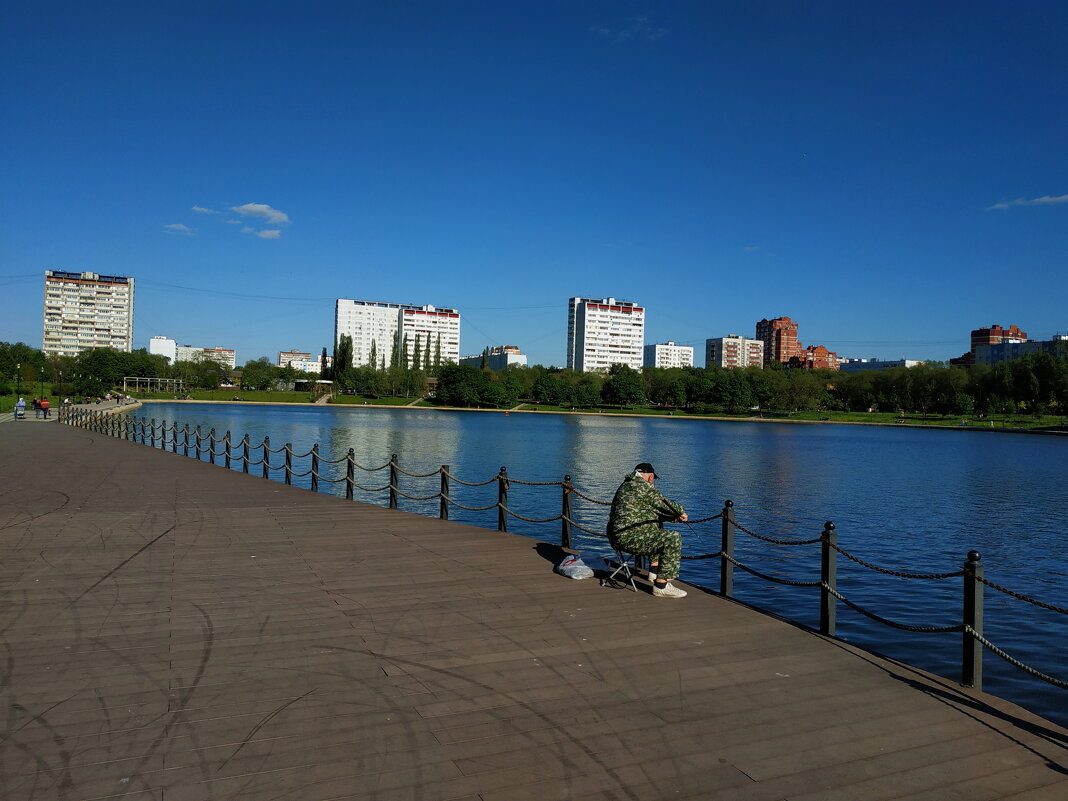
(891, 176)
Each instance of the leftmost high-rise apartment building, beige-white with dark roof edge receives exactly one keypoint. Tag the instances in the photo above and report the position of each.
(86, 311)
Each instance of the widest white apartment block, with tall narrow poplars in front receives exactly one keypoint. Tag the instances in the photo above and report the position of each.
(376, 324)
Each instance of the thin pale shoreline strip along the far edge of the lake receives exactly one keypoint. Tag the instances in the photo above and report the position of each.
(618, 415)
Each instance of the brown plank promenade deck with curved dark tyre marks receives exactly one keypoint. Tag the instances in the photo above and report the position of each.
(176, 632)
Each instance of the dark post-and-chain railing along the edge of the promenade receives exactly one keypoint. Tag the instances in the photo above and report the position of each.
(971, 624)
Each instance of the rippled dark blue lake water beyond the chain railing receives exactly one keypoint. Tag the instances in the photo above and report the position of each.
(904, 499)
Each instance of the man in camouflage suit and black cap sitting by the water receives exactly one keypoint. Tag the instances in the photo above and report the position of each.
(636, 526)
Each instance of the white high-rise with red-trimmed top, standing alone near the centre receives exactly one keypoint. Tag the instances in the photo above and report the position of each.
(605, 333)
